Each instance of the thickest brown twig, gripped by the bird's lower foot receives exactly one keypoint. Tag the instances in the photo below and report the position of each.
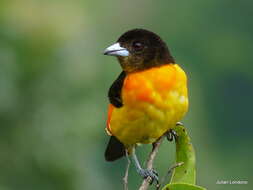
(150, 160)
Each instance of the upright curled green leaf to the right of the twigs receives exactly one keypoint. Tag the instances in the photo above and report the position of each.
(184, 153)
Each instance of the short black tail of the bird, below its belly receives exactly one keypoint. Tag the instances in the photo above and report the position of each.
(115, 149)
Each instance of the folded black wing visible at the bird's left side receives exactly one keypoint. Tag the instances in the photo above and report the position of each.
(114, 93)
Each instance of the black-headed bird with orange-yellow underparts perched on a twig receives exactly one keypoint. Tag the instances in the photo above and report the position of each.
(148, 97)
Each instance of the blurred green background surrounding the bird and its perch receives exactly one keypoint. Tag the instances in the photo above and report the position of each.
(54, 81)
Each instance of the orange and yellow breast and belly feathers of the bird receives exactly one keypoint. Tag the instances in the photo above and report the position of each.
(153, 101)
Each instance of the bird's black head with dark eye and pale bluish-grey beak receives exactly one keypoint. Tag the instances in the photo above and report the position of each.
(140, 49)
